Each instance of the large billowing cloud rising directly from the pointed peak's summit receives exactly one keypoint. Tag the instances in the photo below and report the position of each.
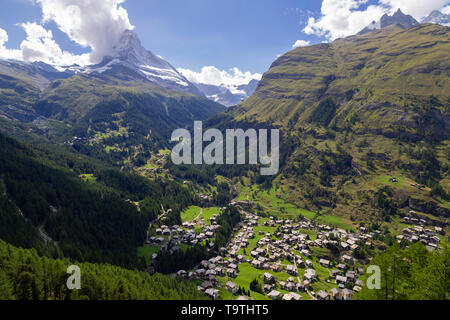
(94, 24)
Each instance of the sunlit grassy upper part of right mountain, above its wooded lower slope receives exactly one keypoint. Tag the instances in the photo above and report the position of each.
(386, 80)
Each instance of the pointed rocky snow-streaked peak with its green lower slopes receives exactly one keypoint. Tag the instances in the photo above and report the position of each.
(118, 111)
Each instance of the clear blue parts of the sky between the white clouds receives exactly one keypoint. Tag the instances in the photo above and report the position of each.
(247, 34)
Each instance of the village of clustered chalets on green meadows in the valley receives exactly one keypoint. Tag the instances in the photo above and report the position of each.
(278, 259)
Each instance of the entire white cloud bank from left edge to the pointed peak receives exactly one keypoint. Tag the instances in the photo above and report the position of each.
(94, 24)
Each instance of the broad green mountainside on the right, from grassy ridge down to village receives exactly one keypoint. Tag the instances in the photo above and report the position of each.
(359, 110)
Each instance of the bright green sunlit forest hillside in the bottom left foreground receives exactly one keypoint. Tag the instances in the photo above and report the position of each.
(24, 275)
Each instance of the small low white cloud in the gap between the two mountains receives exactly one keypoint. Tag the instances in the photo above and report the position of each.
(212, 75)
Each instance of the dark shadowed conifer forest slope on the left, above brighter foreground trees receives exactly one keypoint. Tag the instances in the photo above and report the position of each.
(85, 221)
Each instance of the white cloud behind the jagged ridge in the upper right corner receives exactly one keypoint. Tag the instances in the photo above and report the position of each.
(341, 18)
